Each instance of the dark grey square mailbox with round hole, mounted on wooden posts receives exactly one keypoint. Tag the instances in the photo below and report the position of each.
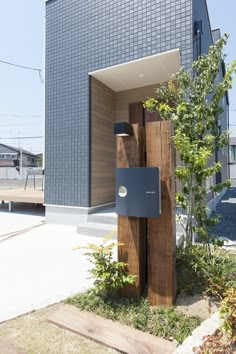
(138, 192)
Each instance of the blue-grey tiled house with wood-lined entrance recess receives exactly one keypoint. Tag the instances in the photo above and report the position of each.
(103, 58)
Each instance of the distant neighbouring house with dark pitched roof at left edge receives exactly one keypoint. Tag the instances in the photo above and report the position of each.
(10, 157)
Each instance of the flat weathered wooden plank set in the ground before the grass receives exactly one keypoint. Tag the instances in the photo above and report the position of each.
(112, 334)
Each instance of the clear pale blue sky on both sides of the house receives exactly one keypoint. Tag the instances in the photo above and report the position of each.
(21, 90)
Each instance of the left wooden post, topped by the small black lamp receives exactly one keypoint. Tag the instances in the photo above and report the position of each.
(131, 230)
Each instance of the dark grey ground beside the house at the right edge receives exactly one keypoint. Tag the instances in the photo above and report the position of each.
(227, 209)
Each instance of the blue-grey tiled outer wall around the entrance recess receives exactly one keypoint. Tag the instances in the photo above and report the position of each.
(83, 36)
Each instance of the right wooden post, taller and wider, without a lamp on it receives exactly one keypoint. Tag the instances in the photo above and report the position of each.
(162, 230)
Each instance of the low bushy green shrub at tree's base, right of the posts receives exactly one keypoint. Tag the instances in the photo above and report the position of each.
(197, 270)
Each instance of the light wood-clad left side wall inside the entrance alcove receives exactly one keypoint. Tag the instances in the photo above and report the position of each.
(103, 144)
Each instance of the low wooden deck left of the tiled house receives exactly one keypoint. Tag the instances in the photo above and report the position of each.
(22, 196)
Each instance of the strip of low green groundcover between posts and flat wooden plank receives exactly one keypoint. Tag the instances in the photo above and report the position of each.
(159, 321)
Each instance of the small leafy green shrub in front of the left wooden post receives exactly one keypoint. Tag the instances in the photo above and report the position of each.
(109, 275)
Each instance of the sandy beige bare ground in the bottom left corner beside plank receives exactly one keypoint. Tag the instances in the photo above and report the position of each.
(34, 335)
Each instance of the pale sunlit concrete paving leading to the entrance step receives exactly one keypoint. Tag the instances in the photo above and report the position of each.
(39, 267)
